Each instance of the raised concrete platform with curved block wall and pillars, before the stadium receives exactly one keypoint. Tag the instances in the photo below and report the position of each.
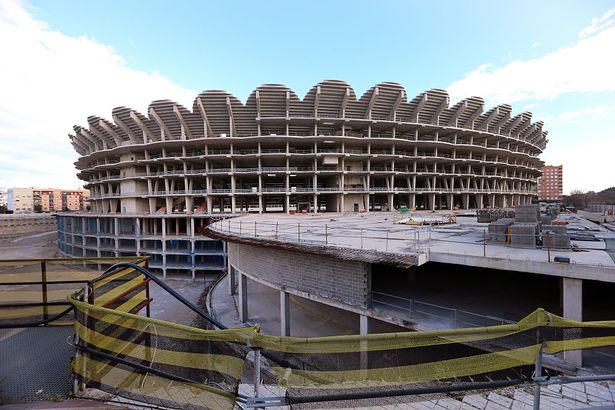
(282, 256)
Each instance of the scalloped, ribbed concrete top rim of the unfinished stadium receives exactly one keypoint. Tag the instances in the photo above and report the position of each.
(470, 110)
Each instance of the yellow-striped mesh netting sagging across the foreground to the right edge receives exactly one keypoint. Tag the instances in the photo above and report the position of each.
(181, 366)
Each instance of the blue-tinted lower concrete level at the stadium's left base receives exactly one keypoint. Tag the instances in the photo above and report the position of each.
(174, 243)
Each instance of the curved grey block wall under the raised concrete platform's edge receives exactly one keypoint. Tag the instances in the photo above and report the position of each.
(322, 276)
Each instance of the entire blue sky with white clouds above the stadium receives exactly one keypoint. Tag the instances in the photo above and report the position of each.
(75, 58)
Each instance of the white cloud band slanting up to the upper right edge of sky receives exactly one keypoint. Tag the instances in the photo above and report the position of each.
(586, 66)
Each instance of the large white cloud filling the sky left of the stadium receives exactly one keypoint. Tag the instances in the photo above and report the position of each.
(50, 81)
